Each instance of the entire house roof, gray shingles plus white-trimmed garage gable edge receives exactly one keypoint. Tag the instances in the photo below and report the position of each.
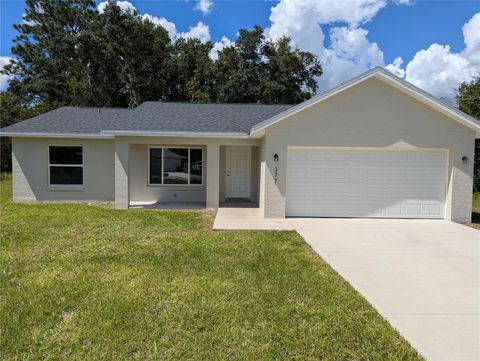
(208, 120)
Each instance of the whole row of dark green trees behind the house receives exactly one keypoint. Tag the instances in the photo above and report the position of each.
(67, 53)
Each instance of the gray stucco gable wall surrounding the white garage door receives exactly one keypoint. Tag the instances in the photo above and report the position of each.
(372, 114)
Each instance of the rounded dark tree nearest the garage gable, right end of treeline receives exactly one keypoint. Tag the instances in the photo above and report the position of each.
(258, 70)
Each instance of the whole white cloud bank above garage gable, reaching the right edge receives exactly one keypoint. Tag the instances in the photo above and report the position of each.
(436, 69)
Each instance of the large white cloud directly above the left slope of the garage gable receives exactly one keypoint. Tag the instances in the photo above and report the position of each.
(349, 53)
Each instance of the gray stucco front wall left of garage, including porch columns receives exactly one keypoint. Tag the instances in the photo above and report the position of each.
(117, 170)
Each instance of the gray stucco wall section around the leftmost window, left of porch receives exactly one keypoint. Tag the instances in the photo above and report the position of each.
(30, 170)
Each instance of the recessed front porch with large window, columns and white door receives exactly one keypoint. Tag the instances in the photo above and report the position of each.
(177, 173)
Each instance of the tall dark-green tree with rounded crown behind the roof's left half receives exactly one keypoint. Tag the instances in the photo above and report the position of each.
(126, 58)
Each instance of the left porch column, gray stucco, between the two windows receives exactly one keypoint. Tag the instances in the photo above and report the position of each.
(121, 174)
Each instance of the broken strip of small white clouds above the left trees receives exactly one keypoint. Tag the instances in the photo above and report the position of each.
(200, 31)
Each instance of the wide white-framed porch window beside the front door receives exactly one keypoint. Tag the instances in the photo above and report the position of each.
(175, 166)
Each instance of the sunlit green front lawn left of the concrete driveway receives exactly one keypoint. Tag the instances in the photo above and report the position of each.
(91, 282)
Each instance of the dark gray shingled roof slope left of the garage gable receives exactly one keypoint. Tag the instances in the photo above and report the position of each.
(150, 116)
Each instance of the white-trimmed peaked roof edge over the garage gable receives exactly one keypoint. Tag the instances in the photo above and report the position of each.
(388, 77)
